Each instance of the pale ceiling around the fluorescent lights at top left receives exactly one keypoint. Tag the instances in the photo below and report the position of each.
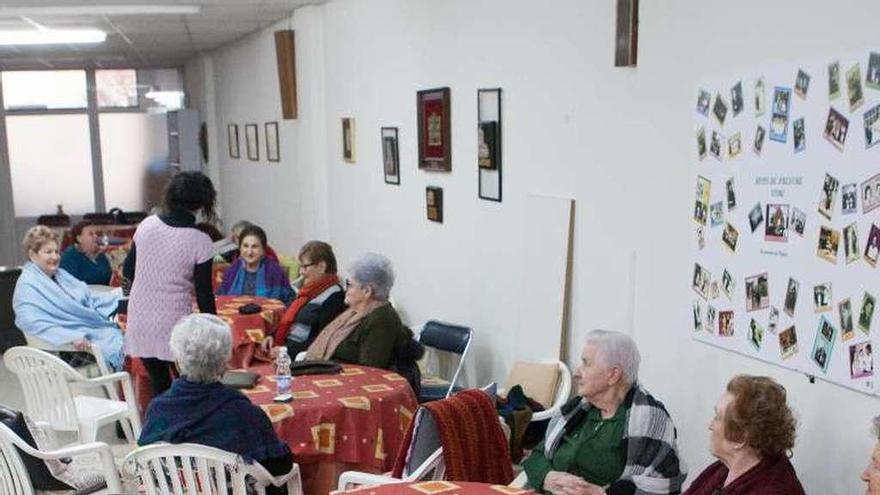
(135, 40)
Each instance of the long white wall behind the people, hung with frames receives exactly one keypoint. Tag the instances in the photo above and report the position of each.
(619, 141)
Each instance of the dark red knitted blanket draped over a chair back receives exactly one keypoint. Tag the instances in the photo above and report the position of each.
(474, 445)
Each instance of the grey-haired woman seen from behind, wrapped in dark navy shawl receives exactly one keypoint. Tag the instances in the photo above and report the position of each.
(199, 409)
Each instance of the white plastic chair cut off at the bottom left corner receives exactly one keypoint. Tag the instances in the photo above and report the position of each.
(14, 478)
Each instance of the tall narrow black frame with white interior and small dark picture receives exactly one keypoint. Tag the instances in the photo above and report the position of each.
(489, 143)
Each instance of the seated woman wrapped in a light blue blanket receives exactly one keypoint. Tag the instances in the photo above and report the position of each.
(54, 306)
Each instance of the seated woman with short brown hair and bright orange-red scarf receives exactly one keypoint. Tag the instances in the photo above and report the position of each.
(317, 303)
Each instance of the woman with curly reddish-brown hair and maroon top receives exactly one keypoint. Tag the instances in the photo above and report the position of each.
(751, 435)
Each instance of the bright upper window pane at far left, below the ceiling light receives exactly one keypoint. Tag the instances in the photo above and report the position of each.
(44, 89)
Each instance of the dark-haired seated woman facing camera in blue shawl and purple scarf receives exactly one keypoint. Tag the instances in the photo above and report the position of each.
(253, 273)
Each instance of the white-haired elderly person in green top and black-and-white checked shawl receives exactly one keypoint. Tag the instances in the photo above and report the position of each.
(615, 437)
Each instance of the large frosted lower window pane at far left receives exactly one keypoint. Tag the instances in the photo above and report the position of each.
(45, 176)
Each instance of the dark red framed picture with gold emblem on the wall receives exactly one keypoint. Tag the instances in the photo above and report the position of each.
(435, 140)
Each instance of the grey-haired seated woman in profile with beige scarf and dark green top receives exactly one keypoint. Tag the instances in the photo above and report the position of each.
(369, 332)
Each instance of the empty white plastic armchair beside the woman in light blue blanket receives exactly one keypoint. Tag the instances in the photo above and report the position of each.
(49, 389)
